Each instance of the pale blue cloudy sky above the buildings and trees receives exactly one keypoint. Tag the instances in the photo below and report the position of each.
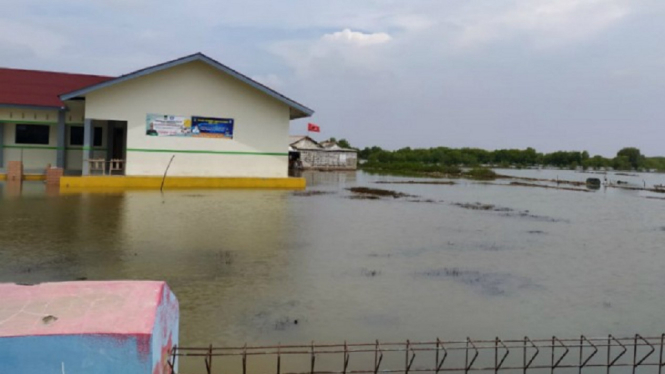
(549, 74)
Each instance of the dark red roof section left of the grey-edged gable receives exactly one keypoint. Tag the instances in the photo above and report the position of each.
(41, 88)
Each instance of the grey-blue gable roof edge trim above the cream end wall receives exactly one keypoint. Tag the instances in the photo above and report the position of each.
(297, 110)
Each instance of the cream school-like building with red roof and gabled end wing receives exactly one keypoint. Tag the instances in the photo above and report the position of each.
(205, 118)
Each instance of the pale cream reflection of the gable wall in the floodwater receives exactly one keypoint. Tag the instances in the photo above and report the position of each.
(220, 251)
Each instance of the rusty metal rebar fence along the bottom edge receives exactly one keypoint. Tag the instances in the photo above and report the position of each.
(605, 354)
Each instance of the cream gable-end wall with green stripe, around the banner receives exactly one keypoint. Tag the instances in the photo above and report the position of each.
(260, 130)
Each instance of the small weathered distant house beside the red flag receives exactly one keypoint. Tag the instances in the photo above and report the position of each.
(307, 153)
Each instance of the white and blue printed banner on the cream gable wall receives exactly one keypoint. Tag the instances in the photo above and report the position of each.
(194, 127)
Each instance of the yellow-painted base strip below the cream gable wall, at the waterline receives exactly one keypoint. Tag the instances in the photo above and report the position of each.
(155, 182)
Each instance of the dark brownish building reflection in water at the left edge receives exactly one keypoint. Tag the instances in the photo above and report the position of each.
(67, 237)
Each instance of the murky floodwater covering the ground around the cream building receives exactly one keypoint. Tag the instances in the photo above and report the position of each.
(278, 266)
